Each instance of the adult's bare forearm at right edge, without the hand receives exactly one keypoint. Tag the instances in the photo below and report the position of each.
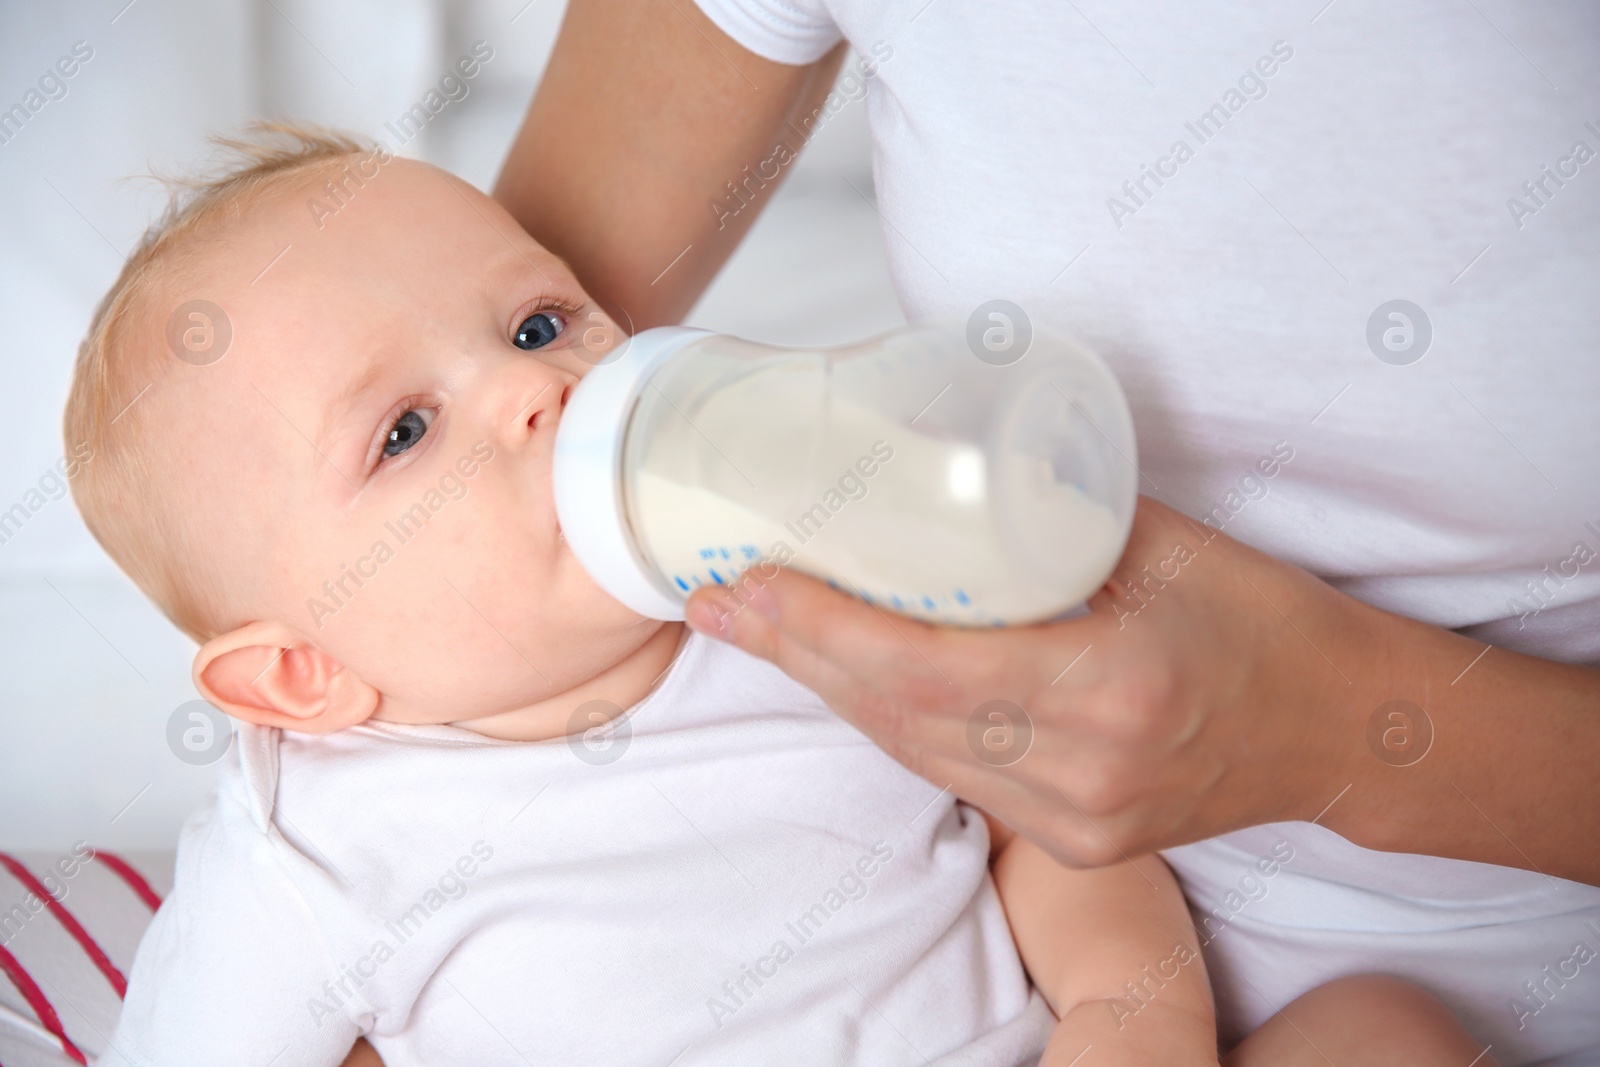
(1468, 751)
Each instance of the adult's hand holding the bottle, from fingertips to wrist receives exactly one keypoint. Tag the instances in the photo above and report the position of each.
(1138, 713)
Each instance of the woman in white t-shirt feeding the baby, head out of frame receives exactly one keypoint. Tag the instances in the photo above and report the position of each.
(1345, 266)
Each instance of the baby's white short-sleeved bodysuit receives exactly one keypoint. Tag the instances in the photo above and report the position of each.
(722, 876)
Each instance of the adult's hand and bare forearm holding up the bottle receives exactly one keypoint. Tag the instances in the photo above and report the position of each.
(1210, 689)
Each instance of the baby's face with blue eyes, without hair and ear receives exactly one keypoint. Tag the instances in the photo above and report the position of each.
(375, 447)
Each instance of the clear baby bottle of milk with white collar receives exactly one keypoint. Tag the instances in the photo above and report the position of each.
(902, 470)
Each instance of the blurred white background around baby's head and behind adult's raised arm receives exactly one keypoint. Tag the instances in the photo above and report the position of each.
(89, 671)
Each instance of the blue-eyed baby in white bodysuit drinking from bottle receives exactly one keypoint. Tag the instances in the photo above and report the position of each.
(478, 810)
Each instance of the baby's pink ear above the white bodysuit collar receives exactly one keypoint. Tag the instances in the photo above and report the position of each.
(268, 674)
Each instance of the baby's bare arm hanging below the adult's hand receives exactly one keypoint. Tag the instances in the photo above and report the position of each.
(1113, 951)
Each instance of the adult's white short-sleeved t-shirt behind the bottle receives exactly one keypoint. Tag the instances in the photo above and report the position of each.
(1223, 199)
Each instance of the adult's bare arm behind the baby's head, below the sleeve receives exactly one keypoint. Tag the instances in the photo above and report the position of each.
(644, 118)
